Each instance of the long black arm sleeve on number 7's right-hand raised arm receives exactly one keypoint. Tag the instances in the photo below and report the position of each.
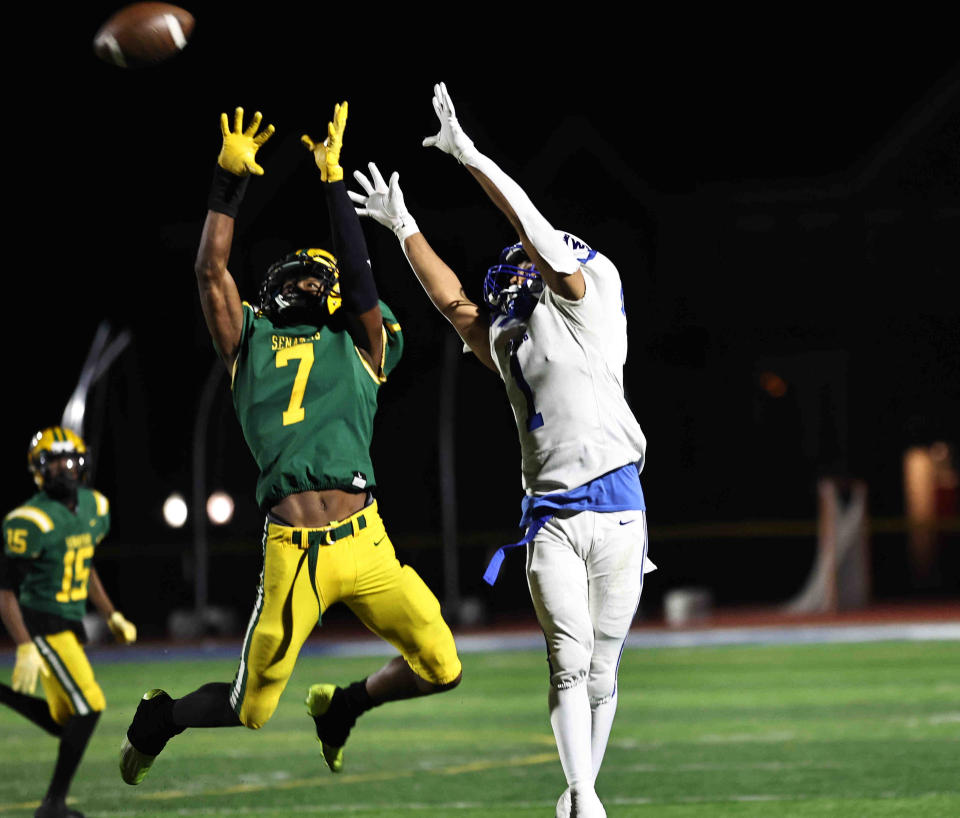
(357, 287)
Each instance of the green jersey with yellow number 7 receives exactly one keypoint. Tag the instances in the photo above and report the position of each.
(306, 399)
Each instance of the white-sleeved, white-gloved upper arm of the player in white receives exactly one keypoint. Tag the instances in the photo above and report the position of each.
(558, 266)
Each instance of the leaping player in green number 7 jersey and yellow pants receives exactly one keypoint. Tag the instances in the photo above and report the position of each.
(306, 367)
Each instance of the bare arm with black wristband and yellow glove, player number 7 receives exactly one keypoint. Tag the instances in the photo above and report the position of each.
(219, 296)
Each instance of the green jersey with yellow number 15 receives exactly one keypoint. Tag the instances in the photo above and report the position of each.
(55, 547)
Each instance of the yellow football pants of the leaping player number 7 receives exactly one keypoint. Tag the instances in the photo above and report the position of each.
(305, 571)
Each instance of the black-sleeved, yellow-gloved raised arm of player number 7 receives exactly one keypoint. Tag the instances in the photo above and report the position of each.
(357, 286)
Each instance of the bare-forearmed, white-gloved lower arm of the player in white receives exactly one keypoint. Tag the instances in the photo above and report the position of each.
(384, 203)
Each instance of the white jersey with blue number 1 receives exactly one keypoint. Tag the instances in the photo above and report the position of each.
(563, 370)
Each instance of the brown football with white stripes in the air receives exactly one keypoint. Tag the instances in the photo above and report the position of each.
(143, 34)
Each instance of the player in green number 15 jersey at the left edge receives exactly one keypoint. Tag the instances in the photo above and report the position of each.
(46, 577)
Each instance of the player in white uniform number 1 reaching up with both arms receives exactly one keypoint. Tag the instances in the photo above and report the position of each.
(554, 328)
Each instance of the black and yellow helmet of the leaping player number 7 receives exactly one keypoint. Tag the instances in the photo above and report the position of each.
(293, 305)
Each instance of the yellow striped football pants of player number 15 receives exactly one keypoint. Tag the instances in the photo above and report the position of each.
(70, 686)
